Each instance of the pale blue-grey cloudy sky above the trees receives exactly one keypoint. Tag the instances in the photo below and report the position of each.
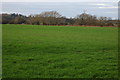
(68, 9)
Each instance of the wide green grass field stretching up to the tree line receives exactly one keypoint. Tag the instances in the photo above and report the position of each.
(33, 51)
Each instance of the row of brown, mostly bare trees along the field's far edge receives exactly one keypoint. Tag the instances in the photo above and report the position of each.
(54, 18)
